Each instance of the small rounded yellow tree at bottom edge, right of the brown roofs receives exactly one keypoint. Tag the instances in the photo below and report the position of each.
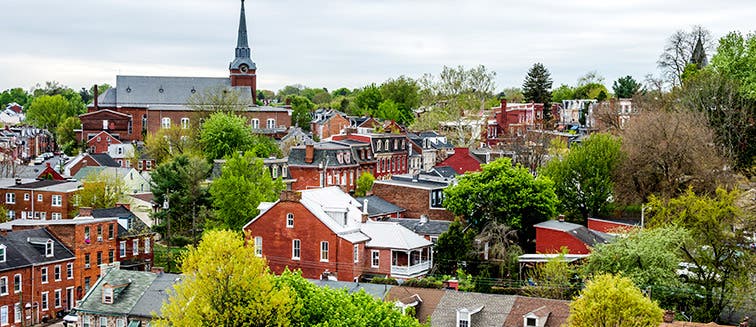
(610, 300)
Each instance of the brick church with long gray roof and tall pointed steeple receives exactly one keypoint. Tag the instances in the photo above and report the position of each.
(141, 105)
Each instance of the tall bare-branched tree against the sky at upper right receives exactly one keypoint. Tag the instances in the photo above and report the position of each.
(678, 52)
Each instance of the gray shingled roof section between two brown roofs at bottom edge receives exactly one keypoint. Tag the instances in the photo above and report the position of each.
(495, 310)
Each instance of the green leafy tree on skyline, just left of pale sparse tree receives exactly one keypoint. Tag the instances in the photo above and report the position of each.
(404, 92)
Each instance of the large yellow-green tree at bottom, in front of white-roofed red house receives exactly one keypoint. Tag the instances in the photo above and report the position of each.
(225, 284)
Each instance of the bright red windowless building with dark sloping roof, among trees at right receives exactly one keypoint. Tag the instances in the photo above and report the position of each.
(553, 235)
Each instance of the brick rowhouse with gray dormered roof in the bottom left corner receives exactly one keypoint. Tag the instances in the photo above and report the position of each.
(36, 277)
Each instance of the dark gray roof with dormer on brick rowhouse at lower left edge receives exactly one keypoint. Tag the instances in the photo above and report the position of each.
(27, 247)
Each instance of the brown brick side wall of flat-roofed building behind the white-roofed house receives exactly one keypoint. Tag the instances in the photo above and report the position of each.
(415, 200)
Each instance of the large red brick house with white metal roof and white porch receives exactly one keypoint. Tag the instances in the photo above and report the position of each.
(323, 233)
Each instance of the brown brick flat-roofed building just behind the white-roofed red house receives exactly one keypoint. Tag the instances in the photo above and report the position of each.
(419, 195)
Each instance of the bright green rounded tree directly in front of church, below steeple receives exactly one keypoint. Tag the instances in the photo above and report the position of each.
(224, 134)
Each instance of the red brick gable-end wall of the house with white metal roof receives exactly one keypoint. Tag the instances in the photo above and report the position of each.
(277, 243)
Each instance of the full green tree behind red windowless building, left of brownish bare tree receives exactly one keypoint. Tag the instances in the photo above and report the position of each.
(583, 178)
